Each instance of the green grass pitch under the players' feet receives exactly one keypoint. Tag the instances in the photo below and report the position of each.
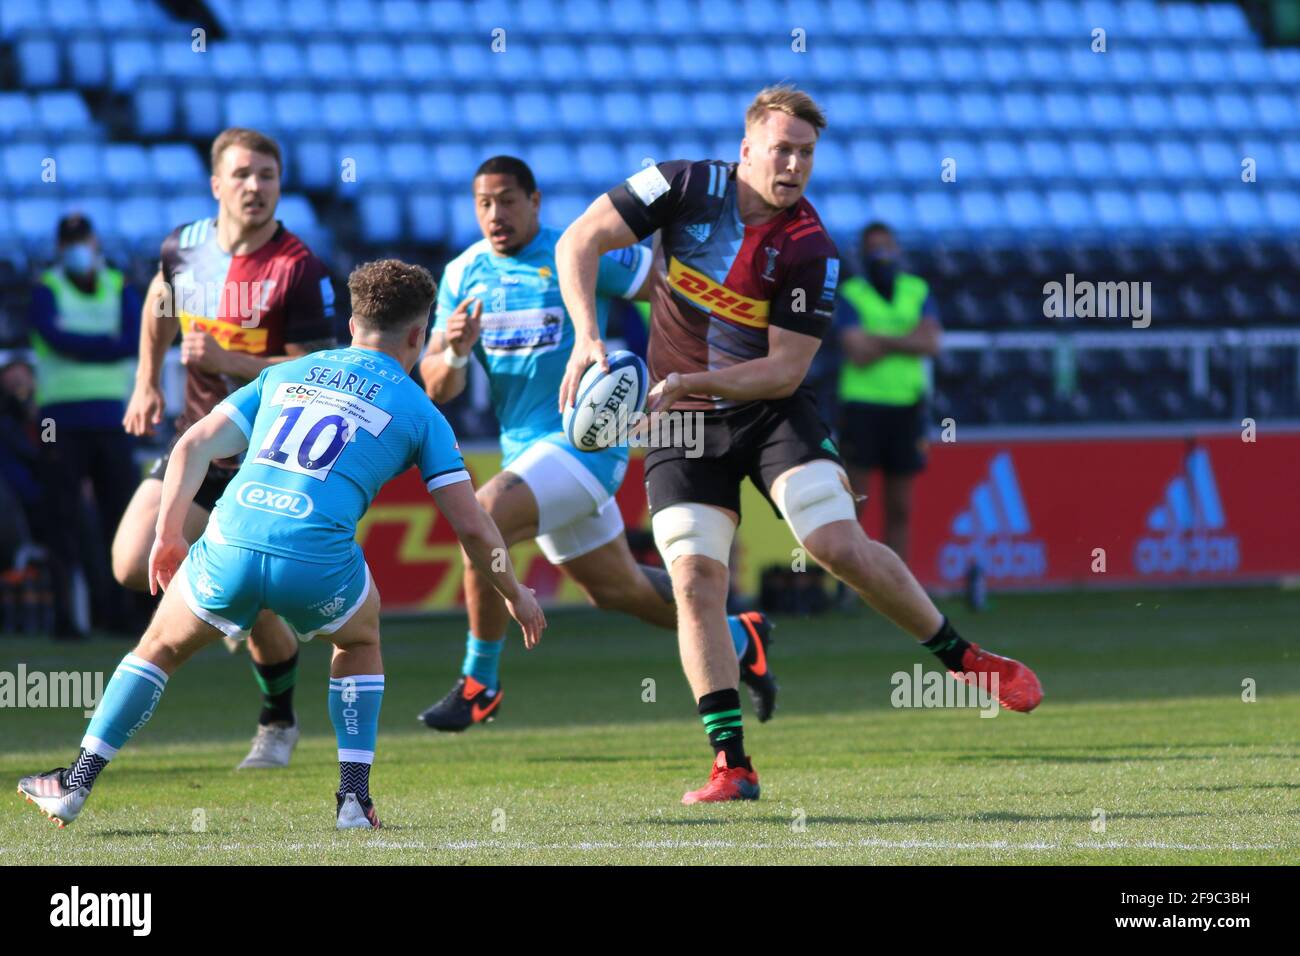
(1143, 723)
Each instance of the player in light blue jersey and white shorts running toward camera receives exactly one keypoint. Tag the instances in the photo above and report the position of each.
(501, 301)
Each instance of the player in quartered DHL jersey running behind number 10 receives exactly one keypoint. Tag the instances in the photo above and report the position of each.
(244, 293)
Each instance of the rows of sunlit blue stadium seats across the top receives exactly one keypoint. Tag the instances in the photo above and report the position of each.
(1047, 135)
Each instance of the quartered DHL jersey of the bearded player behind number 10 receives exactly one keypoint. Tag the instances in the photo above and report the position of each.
(255, 304)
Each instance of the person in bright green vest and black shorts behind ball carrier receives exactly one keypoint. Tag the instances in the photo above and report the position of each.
(889, 330)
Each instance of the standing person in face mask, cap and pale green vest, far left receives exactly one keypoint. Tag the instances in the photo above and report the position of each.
(85, 328)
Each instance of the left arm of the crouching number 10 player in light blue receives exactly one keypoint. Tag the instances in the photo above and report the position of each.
(213, 438)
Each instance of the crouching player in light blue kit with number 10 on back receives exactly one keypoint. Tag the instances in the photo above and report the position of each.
(323, 432)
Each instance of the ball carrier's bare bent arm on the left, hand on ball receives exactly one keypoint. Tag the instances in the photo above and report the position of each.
(578, 263)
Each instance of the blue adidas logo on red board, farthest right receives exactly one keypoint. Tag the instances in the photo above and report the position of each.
(1184, 526)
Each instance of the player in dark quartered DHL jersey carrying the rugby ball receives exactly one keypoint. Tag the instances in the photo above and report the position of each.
(747, 301)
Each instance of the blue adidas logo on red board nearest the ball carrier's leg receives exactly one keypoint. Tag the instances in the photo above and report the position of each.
(996, 526)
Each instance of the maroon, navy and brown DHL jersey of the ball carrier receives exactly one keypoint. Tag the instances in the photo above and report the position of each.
(726, 283)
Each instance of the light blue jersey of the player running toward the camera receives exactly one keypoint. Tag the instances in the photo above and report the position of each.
(527, 338)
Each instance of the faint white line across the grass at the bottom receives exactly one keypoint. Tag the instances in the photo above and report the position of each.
(588, 847)
